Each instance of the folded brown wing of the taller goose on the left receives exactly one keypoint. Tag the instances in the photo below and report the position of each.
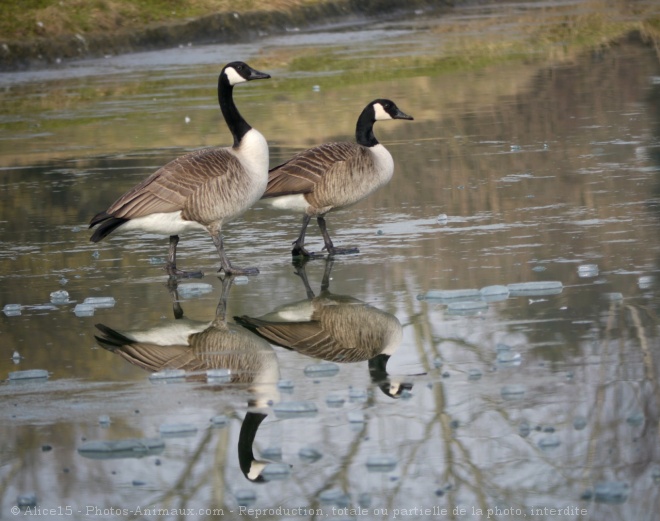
(168, 189)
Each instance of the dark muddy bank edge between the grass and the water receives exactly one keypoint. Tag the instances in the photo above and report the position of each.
(230, 27)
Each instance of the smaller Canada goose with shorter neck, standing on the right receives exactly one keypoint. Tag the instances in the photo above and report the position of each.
(334, 175)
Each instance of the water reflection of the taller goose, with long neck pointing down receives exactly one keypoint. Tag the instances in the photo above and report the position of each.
(197, 347)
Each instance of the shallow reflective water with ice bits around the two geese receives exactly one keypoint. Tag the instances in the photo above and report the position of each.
(509, 402)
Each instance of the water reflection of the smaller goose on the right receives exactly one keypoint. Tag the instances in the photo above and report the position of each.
(335, 328)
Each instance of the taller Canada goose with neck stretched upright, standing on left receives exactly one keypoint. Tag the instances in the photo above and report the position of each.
(201, 190)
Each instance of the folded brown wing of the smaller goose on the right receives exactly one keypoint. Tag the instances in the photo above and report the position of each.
(305, 170)
